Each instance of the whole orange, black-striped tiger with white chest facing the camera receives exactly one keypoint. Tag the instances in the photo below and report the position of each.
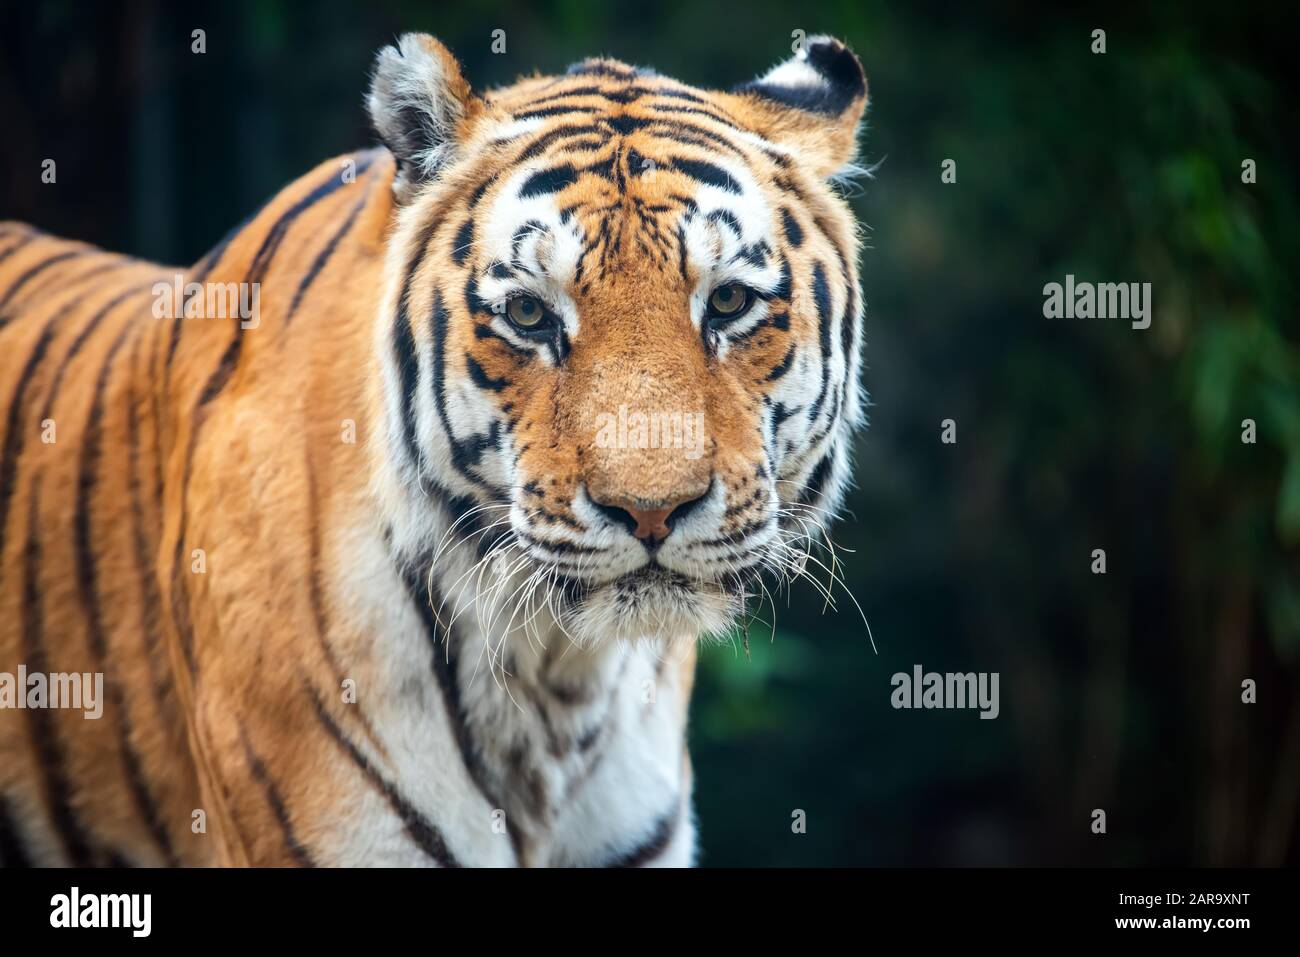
(388, 532)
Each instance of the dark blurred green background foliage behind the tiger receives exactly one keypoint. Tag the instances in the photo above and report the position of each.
(1120, 691)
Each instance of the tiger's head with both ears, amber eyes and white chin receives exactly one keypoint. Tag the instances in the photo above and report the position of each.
(622, 327)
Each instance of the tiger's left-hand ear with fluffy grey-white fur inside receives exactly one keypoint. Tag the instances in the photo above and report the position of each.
(421, 106)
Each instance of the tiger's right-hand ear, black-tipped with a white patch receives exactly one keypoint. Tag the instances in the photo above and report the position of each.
(813, 103)
